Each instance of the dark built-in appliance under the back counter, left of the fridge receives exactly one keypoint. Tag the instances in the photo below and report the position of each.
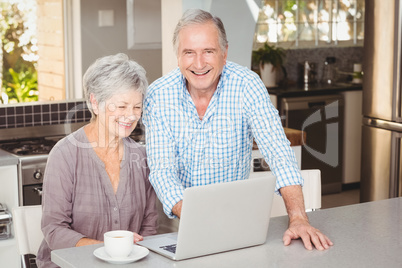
(321, 117)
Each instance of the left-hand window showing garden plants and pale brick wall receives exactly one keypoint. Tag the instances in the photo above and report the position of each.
(46, 35)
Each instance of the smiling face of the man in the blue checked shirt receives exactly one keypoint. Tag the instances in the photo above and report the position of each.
(200, 57)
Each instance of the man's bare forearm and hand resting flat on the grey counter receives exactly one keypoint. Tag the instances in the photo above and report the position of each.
(299, 226)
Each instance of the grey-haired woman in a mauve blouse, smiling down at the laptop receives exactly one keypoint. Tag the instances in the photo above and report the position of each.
(96, 179)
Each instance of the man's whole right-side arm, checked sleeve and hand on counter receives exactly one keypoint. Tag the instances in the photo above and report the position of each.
(273, 144)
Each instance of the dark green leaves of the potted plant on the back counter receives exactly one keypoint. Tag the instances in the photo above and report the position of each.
(269, 54)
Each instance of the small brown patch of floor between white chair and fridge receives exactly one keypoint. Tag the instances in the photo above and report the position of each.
(348, 197)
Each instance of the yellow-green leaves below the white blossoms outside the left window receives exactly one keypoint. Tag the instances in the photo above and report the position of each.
(22, 87)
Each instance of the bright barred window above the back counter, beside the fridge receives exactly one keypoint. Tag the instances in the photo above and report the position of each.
(310, 23)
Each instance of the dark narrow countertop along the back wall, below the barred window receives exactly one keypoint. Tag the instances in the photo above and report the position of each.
(313, 89)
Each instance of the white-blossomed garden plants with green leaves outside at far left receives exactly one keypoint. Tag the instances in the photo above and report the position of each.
(18, 51)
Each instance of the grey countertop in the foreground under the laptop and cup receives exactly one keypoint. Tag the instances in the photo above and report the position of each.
(364, 235)
